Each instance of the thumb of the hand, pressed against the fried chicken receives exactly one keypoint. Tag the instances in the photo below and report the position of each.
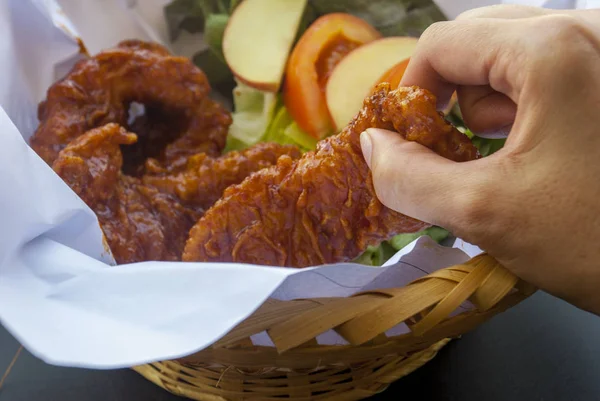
(413, 180)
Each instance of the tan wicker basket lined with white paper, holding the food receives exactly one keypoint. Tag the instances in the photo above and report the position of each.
(300, 369)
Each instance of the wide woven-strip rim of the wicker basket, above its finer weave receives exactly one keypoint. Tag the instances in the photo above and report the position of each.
(424, 305)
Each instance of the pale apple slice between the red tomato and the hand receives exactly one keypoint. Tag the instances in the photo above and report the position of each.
(354, 77)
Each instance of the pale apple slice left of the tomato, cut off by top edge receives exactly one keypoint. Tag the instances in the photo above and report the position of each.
(258, 39)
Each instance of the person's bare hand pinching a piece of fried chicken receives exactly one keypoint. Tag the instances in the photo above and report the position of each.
(534, 205)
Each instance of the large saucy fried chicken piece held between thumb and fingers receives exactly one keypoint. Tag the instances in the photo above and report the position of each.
(323, 208)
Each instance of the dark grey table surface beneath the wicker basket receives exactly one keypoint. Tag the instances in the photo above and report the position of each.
(542, 349)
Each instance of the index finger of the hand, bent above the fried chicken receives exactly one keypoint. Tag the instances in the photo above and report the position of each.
(467, 52)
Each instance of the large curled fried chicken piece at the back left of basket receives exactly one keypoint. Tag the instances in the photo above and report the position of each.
(100, 89)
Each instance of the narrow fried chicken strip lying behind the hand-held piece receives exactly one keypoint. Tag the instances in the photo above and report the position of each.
(201, 182)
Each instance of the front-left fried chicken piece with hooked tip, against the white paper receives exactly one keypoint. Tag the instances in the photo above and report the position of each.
(140, 223)
